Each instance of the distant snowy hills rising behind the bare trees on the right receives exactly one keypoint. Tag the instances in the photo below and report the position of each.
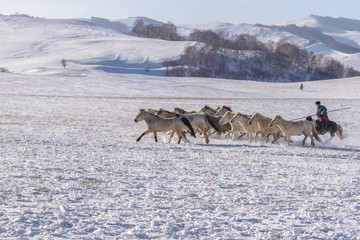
(340, 36)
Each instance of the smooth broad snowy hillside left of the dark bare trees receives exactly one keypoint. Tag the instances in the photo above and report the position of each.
(33, 43)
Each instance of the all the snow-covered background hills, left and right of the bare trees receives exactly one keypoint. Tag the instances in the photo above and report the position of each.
(106, 44)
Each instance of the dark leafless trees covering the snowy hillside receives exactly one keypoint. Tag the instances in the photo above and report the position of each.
(218, 55)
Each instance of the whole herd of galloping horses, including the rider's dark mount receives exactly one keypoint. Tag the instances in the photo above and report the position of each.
(222, 120)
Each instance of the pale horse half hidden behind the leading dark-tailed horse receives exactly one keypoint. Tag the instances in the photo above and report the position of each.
(202, 122)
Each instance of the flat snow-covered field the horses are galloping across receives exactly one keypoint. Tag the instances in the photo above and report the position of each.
(70, 166)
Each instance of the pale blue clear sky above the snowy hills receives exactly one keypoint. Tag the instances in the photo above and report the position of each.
(185, 11)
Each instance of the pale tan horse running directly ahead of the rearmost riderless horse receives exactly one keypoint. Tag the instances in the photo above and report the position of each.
(263, 123)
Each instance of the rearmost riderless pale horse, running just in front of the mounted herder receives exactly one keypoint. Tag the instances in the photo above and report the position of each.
(290, 128)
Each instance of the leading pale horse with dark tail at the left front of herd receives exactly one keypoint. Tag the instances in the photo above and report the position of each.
(156, 124)
